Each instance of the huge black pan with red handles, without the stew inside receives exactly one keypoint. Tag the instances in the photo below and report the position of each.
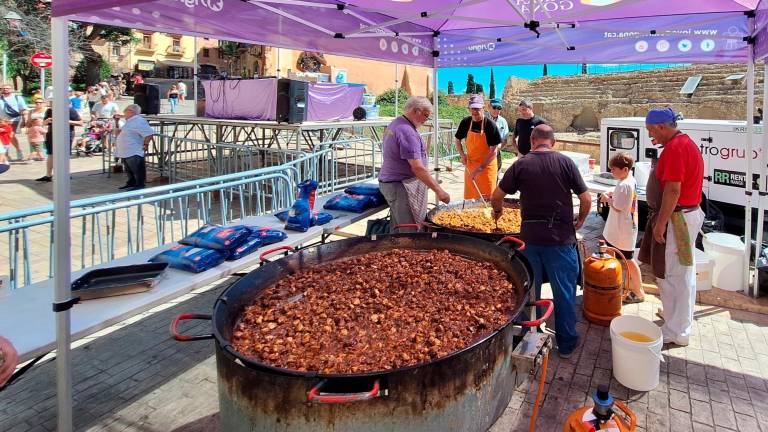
(467, 390)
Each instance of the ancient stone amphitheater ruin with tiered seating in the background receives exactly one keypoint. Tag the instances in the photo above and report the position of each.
(578, 103)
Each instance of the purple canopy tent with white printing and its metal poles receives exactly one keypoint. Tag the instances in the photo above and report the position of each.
(433, 33)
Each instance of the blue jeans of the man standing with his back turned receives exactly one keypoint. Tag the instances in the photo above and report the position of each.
(561, 264)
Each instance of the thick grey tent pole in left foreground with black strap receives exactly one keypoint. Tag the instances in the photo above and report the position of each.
(61, 227)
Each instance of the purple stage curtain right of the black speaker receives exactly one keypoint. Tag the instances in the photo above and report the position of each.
(333, 101)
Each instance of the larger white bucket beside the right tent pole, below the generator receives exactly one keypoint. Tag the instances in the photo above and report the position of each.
(727, 251)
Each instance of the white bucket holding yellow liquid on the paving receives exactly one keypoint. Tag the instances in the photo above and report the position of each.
(636, 364)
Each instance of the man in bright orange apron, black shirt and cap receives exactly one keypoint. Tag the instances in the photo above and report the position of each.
(481, 137)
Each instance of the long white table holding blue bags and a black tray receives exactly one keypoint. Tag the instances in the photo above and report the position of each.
(27, 320)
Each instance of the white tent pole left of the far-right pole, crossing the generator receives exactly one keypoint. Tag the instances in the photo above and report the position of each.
(748, 159)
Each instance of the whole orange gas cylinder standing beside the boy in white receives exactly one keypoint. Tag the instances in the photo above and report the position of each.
(603, 285)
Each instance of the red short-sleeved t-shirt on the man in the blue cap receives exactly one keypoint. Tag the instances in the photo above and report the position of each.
(681, 161)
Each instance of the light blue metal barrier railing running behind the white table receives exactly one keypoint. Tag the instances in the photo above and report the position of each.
(117, 225)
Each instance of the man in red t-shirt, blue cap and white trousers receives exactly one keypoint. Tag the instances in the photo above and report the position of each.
(673, 194)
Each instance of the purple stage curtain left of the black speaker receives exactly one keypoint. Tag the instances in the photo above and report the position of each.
(253, 99)
